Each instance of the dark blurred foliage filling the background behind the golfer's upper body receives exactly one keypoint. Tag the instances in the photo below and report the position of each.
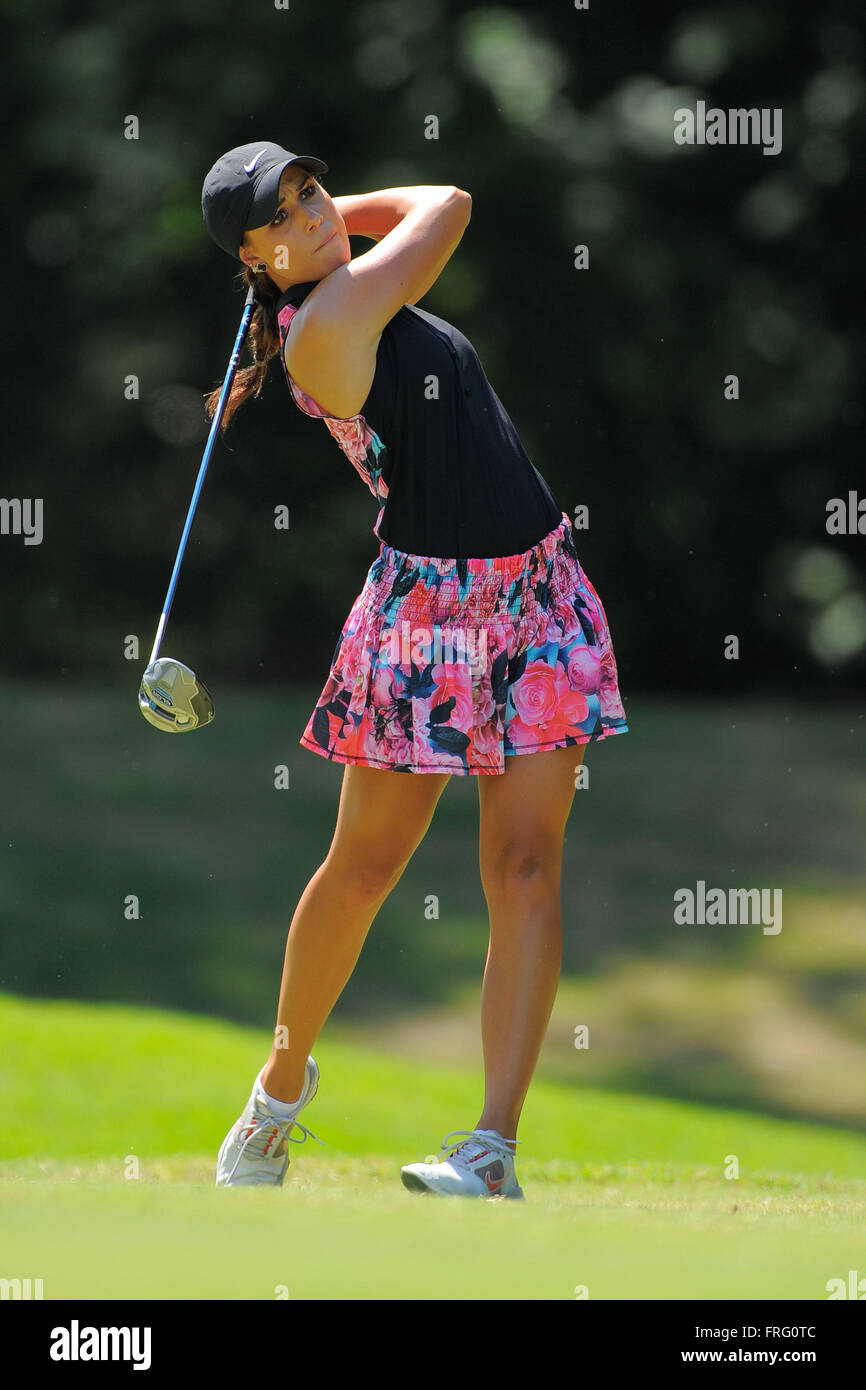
(707, 516)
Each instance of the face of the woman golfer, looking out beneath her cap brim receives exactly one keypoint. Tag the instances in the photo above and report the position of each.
(291, 245)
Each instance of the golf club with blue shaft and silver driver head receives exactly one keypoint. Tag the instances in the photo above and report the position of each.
(172, 696)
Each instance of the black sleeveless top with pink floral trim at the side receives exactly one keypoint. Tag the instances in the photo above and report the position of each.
(434, 444)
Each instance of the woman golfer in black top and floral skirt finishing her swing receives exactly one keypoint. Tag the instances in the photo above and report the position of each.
(477, 639)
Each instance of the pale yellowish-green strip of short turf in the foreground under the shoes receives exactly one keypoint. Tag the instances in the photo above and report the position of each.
(350, 1231)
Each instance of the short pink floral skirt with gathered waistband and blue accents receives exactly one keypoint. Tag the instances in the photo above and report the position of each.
(452, 667)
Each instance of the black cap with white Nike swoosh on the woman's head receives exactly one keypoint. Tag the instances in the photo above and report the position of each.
(243, 190)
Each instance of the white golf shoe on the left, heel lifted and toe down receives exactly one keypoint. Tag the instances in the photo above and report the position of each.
(256, 1150)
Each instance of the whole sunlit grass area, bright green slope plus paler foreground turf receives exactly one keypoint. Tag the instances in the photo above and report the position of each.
(626, 1195)
